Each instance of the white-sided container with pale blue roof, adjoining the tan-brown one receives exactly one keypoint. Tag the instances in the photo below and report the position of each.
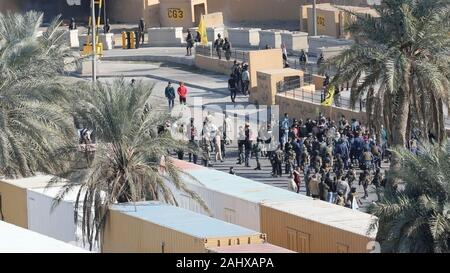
(231, 198)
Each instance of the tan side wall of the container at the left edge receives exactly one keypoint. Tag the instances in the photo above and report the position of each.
(14, 204)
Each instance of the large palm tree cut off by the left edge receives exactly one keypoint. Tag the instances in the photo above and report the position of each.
(32, 122)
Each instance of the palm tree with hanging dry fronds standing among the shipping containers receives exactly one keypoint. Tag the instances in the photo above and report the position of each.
(132, 159)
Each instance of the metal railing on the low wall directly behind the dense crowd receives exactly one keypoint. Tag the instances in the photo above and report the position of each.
(293, 88)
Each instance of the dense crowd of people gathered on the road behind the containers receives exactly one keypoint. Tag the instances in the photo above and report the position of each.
(331, 159)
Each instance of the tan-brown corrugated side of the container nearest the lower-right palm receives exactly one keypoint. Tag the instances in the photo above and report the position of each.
(302, 235)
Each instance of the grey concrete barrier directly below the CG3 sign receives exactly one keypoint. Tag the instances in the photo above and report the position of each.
(166, 36)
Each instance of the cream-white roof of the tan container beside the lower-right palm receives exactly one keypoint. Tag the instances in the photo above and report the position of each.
(329, 214)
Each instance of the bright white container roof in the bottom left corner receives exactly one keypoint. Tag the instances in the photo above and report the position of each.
(14, 239)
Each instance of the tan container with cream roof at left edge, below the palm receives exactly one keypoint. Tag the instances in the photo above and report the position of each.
(13, 198)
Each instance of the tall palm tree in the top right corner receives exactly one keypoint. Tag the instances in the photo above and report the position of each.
(402, 58)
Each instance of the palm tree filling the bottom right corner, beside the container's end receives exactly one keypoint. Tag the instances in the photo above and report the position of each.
(416, 216)
